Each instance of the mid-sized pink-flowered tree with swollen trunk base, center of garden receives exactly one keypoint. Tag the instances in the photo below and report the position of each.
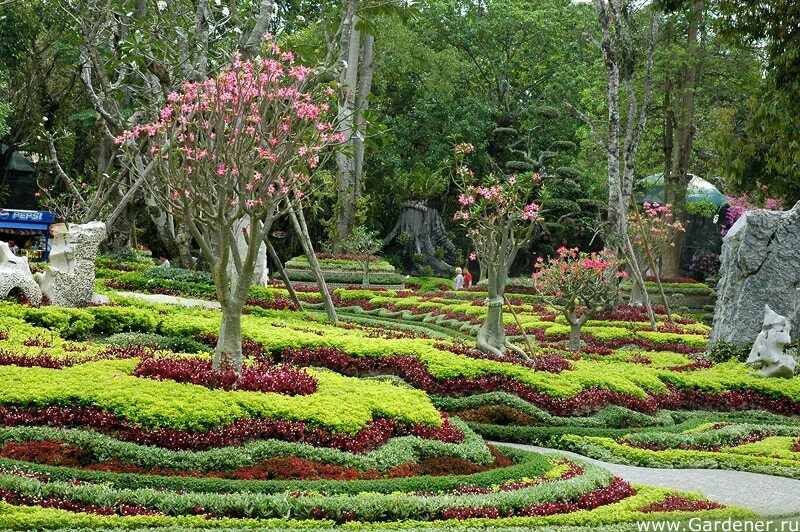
(500, 216)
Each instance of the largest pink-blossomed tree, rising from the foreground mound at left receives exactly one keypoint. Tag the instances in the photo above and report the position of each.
(238, 146)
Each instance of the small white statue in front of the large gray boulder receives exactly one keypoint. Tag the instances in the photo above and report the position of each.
(767, 352)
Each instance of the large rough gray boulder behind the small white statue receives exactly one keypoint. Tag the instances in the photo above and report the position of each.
(760, 266)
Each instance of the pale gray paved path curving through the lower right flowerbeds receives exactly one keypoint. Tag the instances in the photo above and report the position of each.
(765, 494)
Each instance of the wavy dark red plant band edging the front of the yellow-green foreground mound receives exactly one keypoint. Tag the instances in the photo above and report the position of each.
(378, 432)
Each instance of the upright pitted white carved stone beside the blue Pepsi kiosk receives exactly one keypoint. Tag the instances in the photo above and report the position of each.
(68, 281)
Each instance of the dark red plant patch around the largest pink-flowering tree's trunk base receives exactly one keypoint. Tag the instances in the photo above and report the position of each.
(258, 377)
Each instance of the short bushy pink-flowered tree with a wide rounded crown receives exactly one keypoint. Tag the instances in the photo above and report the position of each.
(579, 285)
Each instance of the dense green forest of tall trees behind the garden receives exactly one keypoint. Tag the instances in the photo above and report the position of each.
(523, 81)
